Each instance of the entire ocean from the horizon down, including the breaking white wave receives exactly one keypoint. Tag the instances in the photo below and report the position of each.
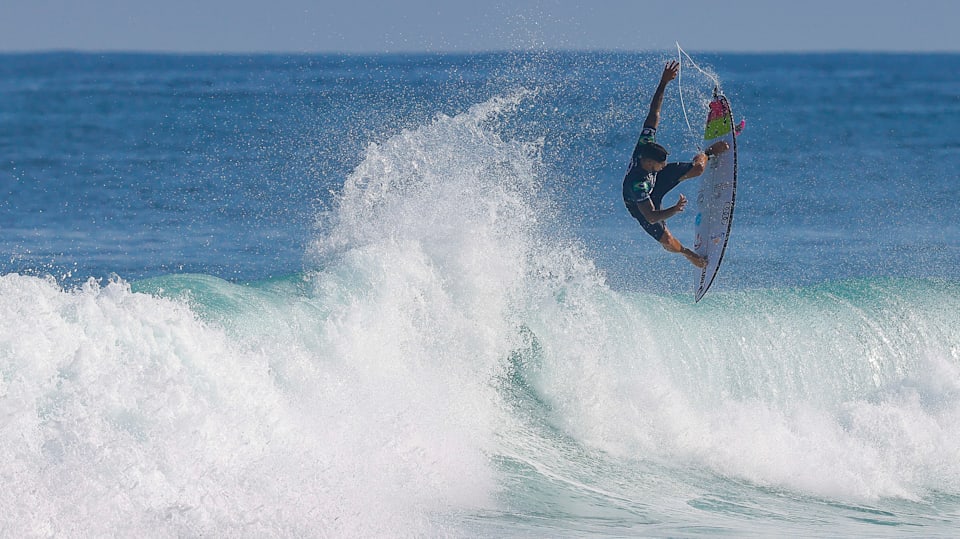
(399, 296)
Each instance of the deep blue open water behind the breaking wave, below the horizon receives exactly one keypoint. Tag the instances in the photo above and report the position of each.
(145, 165)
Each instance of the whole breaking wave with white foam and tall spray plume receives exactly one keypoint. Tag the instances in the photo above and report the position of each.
(453, 362)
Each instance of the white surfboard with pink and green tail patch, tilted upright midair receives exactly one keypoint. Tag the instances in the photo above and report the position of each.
(718, 190)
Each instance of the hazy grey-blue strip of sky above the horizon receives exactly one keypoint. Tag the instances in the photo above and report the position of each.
(385, 26)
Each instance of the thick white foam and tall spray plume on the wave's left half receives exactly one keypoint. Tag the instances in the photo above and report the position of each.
(358, 399)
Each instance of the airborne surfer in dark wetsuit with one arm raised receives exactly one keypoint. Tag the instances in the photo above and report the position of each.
(649, 177)
